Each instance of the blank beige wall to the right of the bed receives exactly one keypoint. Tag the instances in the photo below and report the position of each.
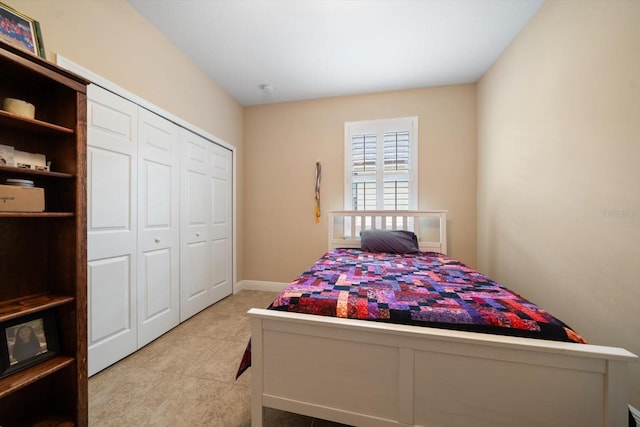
(559, 169)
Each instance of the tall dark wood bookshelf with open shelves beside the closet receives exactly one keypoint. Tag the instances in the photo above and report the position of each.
(43, 255)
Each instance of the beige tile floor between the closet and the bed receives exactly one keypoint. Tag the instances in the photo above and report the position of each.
(187, 376)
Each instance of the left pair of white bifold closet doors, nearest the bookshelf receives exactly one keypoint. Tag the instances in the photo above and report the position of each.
(133, 227)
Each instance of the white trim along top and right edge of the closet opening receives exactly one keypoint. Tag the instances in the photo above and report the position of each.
(120, 91)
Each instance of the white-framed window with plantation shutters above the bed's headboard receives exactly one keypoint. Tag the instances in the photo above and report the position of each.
(380, 164)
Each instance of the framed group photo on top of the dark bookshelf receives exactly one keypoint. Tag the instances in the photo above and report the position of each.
(20, 31)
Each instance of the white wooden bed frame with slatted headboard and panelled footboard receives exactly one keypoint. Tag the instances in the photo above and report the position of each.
(376, 374)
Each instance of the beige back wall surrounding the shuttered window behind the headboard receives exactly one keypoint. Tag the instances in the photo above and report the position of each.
(284, 141)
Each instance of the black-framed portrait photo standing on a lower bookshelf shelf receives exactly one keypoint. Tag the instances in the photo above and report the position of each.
(27, 341)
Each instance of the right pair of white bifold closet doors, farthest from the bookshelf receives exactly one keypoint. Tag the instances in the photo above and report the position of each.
(206, 224)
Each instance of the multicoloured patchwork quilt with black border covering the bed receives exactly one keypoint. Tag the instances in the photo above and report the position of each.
(423, 289)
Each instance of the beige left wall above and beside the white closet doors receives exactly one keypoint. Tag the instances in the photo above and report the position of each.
(111, 39)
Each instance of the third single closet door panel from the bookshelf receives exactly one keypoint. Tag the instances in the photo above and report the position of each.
(195, 249)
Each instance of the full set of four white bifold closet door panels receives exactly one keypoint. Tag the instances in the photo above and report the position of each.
(159, 225)
